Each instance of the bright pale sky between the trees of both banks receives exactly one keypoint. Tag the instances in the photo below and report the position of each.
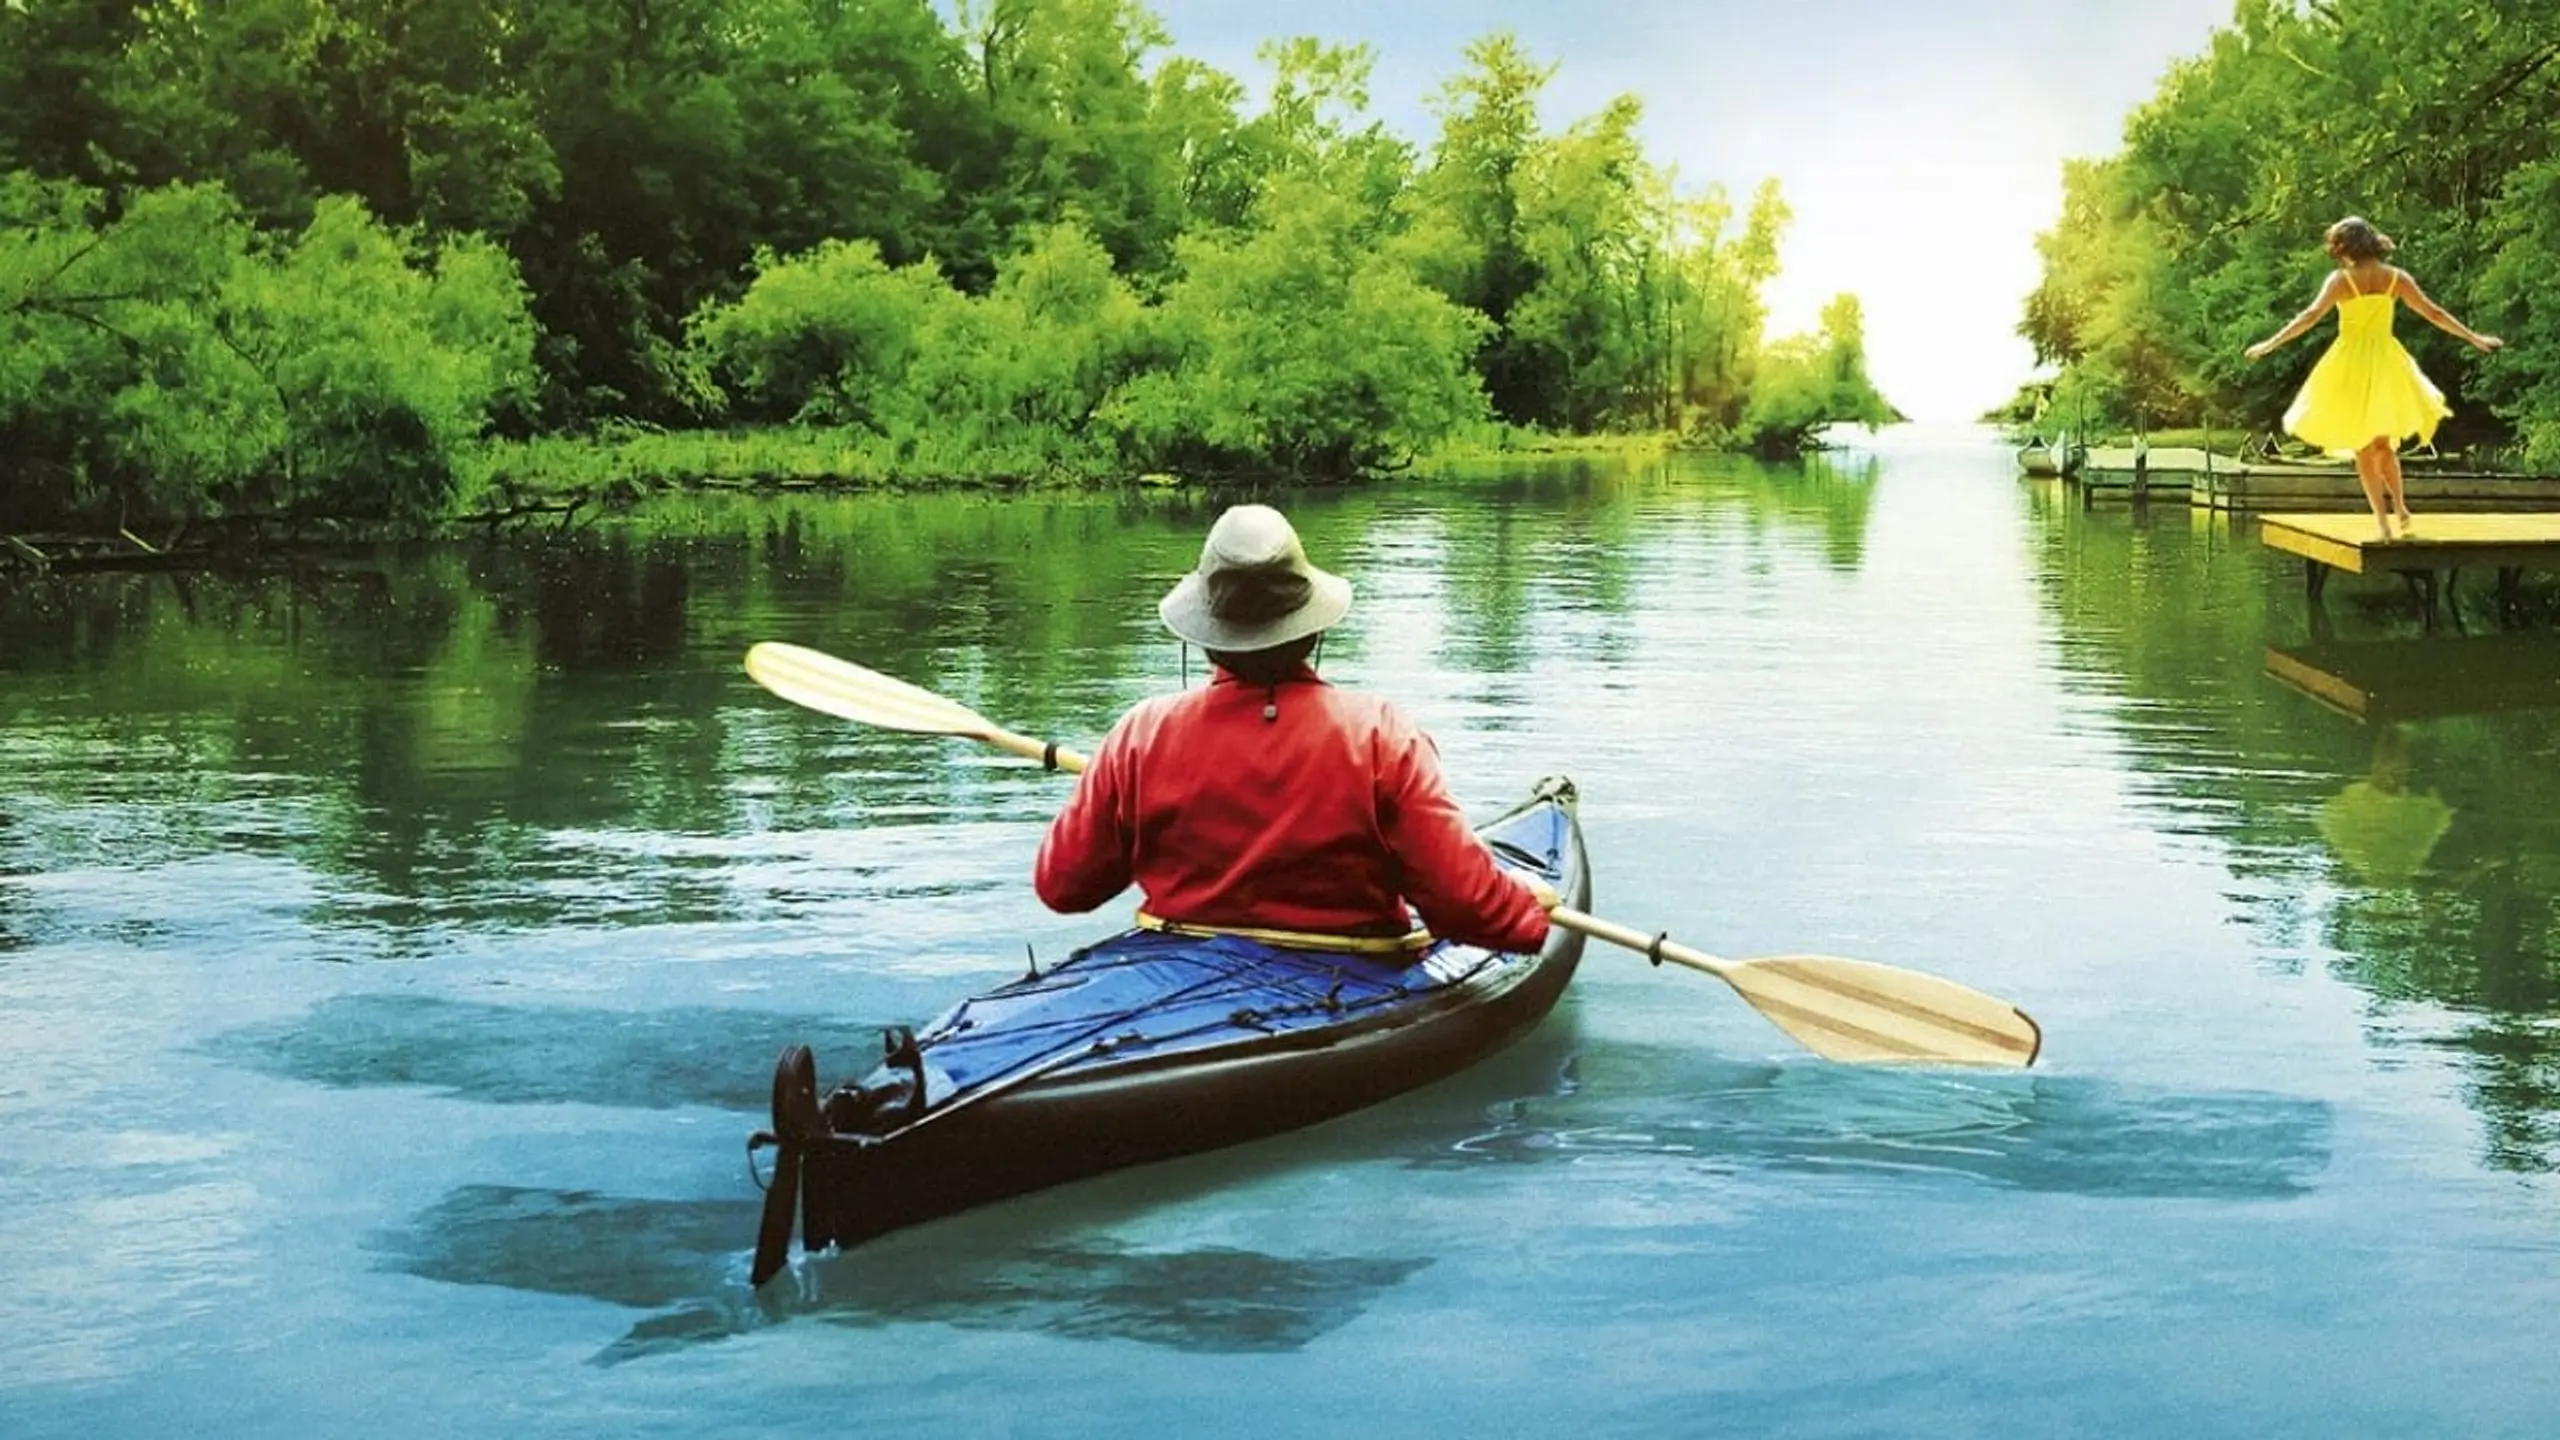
(1919, 142)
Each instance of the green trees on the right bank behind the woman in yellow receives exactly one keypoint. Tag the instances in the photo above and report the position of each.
(2436, 119)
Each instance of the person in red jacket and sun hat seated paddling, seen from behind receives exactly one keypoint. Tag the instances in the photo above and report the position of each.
(1268, 798)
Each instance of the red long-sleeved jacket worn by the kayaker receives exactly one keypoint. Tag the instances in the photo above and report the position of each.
(1330, 819)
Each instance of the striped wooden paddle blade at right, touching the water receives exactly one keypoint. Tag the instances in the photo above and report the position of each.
(1868, 1013)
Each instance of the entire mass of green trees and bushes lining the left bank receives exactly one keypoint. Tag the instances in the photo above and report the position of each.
(268, 245)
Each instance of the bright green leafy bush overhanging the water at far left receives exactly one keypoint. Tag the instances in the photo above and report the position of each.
(180, 363)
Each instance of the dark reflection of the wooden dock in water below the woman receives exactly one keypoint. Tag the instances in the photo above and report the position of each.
(2418, 680)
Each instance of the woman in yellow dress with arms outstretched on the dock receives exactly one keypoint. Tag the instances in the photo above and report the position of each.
(2367, 396)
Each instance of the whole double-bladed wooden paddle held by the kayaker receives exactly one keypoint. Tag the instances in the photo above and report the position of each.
(1842, 1011)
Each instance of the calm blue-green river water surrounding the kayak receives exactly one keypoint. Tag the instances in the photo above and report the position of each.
(393, 962)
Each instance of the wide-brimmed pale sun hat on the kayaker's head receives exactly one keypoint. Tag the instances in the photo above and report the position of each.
(1253, 588)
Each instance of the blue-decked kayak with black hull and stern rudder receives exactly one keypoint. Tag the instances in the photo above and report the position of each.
(1151, 1047)
